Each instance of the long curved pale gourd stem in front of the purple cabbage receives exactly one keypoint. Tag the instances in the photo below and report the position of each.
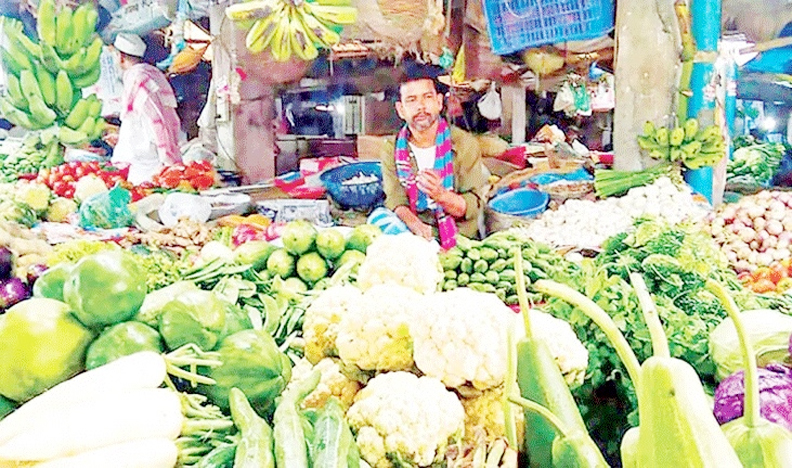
(751, 382)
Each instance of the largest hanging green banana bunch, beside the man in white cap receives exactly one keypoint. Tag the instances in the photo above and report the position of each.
(45, 77)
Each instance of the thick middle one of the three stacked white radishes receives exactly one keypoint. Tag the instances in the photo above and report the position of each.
(112, 419)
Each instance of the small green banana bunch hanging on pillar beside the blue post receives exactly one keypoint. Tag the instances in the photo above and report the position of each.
(686, 144)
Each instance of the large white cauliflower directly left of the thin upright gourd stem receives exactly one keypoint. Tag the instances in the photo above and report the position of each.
(463, 340)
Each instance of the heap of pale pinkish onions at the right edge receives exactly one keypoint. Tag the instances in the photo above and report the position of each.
(756, 231)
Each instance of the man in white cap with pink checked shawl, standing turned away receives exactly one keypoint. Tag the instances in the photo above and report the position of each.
(148, 138)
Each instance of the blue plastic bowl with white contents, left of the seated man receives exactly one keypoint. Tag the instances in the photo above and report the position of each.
(354, 196)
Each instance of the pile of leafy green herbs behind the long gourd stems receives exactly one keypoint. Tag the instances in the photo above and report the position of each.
(676, 261)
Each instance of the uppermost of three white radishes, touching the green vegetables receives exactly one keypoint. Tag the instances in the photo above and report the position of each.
(140, 370)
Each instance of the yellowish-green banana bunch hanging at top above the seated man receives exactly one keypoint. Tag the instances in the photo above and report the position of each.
(292, 27)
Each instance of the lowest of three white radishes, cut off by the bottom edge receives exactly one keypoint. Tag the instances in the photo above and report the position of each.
(145, 453)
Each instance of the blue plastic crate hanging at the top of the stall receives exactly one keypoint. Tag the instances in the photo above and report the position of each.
(514, 25)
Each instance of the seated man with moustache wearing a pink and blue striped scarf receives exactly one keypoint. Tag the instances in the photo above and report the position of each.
(433, 171)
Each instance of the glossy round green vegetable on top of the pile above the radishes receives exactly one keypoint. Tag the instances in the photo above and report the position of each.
(105, 288)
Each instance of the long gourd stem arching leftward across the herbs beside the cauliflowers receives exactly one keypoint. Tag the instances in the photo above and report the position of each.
(599, 317)
